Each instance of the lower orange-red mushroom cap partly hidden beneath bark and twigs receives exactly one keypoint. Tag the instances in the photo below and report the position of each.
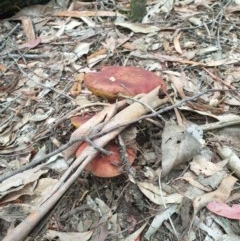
(107, 165)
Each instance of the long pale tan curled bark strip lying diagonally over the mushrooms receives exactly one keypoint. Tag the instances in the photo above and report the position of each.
(127, 115)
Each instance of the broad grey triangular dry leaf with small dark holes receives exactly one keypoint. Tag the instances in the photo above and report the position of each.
(178, 147)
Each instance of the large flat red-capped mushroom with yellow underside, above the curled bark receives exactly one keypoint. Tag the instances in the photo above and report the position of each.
(113, 81)
